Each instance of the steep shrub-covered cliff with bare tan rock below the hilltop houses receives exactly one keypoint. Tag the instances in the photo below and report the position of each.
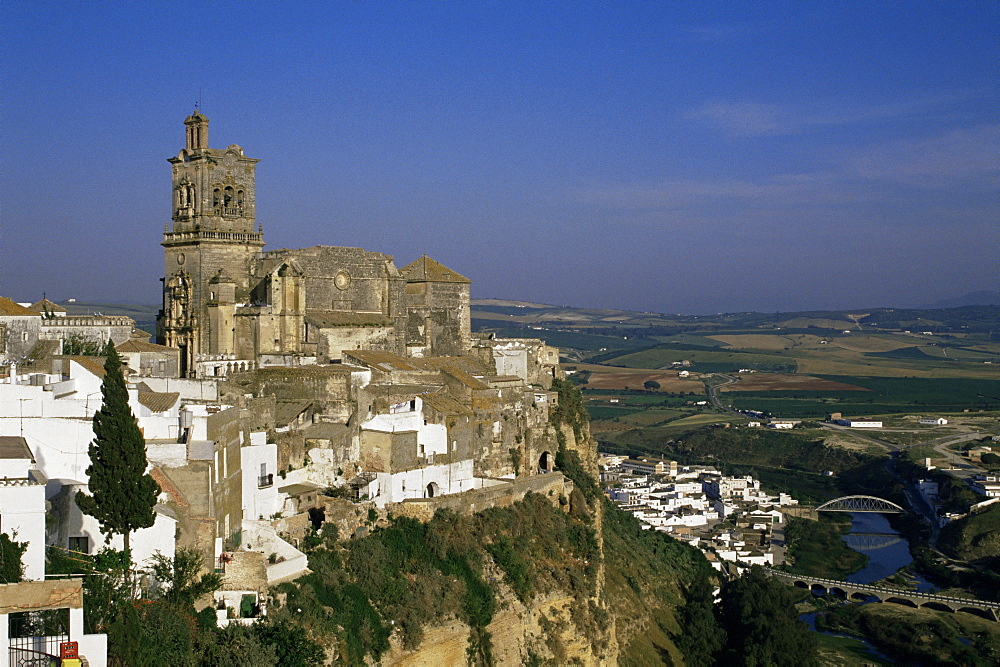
(561, 576)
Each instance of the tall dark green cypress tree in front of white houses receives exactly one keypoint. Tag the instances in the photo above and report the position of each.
(123, 494)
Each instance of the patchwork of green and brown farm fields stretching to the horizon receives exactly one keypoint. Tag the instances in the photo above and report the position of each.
(890, 364)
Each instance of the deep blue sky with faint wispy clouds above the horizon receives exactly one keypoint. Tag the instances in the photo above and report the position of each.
(684, 157)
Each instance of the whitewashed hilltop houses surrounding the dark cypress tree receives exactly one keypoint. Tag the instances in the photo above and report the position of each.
(208, 469)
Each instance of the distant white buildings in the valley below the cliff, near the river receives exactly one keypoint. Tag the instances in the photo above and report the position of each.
(729, 518)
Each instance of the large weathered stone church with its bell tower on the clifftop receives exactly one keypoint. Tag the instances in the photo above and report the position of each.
(224, 296)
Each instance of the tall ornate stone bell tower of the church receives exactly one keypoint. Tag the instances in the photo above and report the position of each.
(213, 228)
